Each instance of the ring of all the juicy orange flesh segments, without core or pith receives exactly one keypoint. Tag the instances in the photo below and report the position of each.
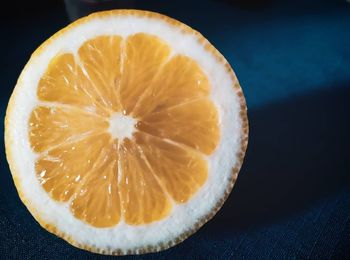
(134, 179)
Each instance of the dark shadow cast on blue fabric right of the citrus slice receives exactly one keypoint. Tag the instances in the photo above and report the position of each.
(296, 155)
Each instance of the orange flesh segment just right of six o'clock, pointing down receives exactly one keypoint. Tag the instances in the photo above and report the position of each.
(143, 199)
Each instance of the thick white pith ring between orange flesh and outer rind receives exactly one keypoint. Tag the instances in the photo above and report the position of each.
(183, 216)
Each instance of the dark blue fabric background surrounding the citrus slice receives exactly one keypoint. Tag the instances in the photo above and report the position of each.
(292, 197)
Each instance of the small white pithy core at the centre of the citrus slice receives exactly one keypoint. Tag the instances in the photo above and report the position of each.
(121, 126)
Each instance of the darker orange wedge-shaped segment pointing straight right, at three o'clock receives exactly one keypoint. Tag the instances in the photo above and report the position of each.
(194, 124)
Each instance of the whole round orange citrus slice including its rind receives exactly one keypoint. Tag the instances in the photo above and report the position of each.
(125, 132)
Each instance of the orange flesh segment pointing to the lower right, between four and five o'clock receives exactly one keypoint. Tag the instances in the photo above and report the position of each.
(181, 171)
